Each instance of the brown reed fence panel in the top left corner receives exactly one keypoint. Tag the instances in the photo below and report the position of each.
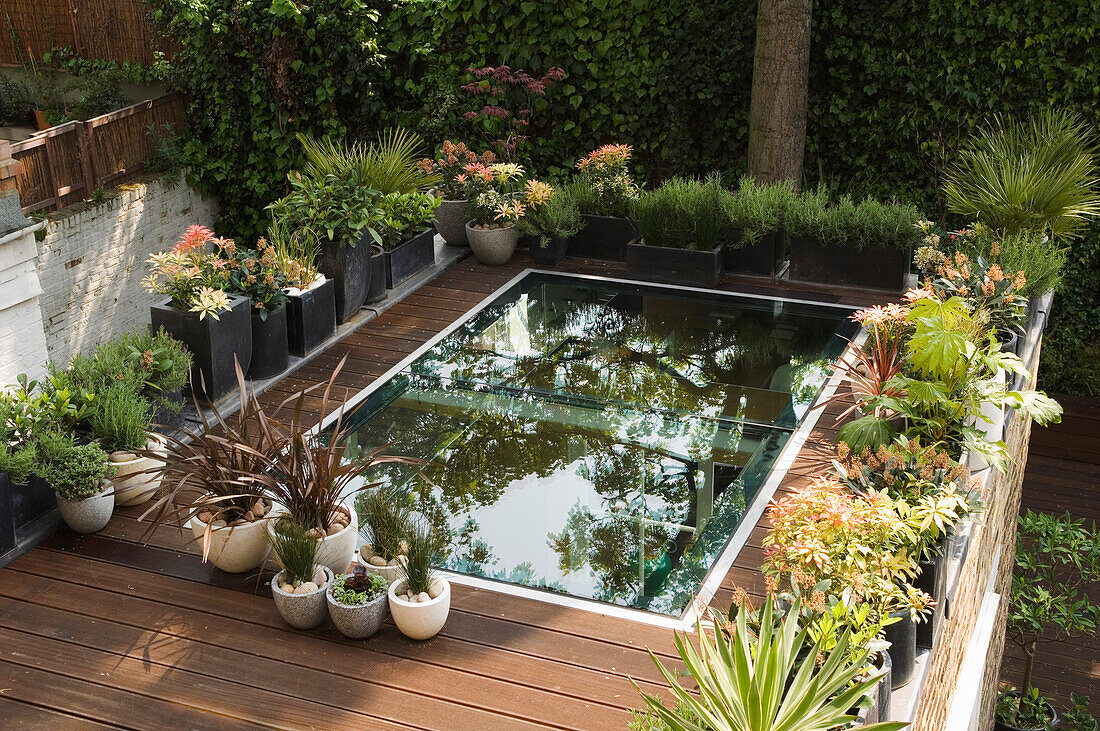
(109, 30)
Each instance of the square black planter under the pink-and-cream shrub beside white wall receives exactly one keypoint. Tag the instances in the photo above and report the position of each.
(214, 345)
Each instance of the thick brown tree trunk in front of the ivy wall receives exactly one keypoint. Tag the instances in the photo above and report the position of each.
(780, 80)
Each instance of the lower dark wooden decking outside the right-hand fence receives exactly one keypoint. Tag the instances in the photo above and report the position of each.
(1064, 475)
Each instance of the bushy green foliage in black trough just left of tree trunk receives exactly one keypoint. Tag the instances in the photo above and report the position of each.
(684, 214)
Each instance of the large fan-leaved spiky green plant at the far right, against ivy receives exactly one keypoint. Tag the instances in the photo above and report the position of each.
(1037, 174)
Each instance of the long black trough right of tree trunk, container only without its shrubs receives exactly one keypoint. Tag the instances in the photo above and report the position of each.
(882, 268)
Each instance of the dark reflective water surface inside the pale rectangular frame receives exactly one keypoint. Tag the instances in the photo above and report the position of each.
(599, 438)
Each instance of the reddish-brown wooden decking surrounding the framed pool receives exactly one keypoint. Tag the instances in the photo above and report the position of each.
(104, 632)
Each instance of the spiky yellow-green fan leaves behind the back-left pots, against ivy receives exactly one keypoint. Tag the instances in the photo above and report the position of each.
(388, 165)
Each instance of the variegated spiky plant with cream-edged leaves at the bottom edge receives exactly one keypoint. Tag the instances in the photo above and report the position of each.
(756, 683)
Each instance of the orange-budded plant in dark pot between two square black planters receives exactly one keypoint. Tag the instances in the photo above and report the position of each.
(256, 274)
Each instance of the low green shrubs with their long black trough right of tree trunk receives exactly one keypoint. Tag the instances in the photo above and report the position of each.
(868, 245)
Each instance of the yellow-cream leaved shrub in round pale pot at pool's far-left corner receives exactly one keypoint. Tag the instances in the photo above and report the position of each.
(494, 213)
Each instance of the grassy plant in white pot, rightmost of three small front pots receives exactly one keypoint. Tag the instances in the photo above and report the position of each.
(421, 601)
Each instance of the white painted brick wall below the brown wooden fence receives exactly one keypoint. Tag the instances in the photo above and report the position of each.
(93, 261)
